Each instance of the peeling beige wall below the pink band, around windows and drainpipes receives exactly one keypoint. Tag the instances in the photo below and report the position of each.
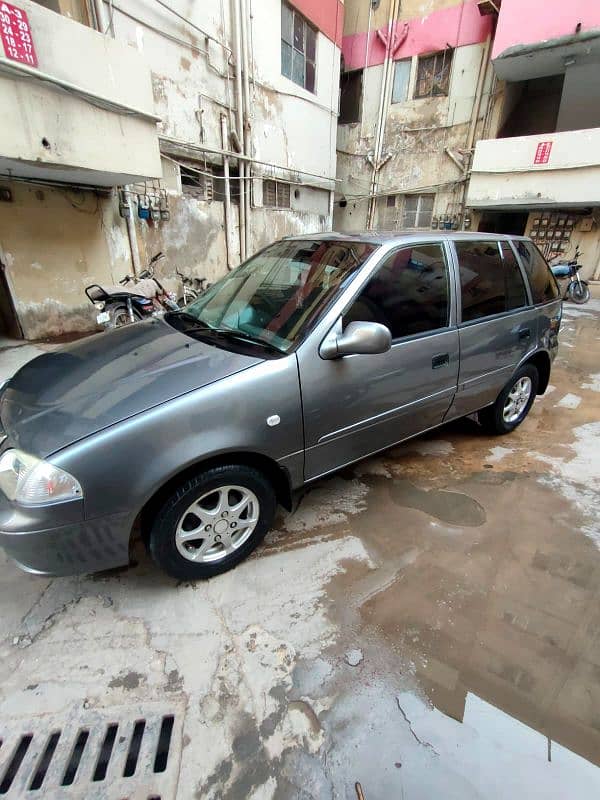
(418, 133)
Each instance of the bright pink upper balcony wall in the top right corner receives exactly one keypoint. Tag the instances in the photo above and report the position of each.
(529, 21)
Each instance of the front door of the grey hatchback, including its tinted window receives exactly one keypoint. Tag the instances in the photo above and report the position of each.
(358, 404)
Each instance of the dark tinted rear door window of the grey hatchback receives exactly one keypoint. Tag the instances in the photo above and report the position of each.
(490, 279)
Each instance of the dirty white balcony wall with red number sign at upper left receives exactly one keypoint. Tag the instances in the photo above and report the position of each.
(77, 106)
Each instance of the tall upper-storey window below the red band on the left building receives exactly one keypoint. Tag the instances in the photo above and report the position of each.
(298, 48)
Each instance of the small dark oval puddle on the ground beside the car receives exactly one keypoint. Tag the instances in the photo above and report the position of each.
(454, 508)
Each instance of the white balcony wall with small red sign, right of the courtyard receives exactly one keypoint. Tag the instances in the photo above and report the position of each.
(531, 172)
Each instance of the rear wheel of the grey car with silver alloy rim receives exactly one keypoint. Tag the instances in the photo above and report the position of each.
(512, 404)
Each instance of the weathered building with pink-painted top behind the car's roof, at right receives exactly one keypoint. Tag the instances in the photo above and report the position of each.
(480, 114)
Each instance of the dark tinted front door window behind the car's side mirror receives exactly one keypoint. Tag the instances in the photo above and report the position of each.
(408, 293)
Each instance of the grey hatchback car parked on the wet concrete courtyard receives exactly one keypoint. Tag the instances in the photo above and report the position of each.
(318, 351)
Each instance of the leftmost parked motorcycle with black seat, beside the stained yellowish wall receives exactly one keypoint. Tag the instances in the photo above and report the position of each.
(140, 299)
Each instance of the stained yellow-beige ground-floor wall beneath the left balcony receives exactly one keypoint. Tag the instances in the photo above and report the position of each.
(54, 243)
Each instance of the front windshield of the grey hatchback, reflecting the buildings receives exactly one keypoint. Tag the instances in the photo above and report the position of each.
(273, 297)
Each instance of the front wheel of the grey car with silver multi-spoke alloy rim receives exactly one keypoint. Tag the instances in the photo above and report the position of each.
(212, 521)
